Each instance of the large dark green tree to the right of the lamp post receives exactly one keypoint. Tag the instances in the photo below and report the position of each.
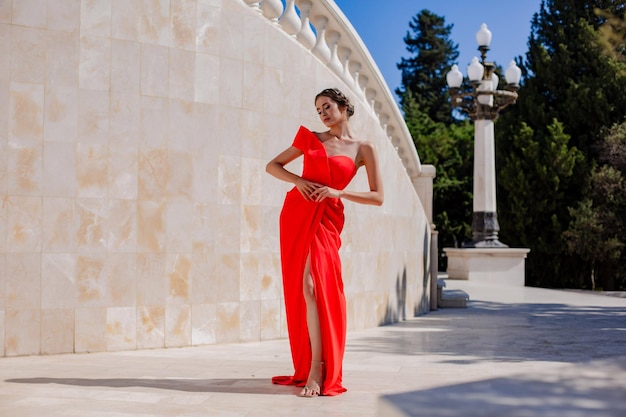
(571, 89)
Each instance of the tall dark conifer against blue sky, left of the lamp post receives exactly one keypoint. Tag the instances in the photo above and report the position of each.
(424, 72)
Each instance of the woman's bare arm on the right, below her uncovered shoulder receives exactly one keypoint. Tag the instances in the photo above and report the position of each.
(375, 196)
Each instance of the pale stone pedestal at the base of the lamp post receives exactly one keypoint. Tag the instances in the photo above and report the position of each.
(502, 266)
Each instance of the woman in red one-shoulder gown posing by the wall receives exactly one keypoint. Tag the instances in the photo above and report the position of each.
(310, 224)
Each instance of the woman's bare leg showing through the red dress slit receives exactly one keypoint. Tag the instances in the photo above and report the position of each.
(314, 382)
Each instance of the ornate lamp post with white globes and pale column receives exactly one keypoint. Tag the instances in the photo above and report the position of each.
(482, 101)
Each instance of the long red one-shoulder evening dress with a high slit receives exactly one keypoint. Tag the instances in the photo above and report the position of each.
(307, 227)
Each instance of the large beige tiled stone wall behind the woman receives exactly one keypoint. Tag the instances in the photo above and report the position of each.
(135, 211)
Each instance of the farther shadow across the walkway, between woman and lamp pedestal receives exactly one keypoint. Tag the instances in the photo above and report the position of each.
(506, 332)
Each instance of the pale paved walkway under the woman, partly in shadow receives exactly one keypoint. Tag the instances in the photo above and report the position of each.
(513, 352)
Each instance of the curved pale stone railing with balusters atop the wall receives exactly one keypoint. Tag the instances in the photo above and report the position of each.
(322, 28)
